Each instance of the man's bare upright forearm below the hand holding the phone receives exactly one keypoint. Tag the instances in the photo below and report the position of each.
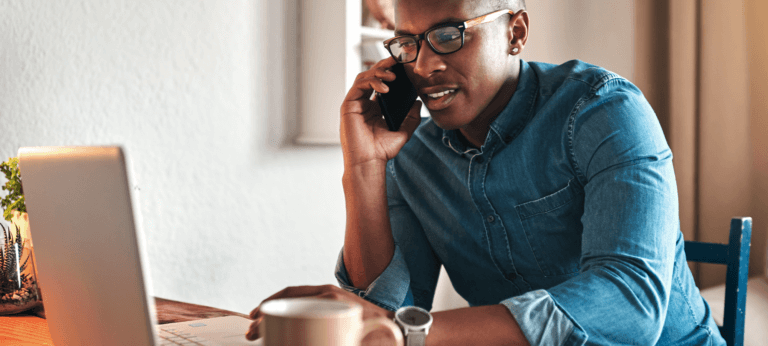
(368, 242)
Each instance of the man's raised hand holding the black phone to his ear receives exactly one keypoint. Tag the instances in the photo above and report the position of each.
(365, 138)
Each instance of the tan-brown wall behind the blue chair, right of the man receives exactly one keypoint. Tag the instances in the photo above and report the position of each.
(705, 79)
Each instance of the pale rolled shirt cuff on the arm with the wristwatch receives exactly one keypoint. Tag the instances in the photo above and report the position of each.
(542, 321)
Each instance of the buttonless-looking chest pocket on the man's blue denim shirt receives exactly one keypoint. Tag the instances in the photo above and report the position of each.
(553, 227)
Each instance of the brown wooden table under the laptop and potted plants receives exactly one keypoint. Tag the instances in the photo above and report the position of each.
(29, 328)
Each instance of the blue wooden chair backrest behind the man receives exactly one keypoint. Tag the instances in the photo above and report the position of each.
(735, 255)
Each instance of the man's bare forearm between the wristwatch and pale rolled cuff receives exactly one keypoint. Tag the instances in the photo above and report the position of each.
(482, 325)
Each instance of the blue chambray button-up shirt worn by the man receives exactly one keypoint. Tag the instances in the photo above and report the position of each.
(567, 215)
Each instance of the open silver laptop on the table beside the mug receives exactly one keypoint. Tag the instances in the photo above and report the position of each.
(92, 269)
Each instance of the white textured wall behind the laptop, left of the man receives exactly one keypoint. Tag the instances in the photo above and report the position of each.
(193, 91)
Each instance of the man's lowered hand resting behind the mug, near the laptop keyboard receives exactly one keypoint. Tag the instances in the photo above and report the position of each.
(370, 310)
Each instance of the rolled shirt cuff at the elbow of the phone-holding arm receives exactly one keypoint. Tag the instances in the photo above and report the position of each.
(389, 290)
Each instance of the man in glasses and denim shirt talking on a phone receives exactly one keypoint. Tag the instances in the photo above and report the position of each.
(547, 193)
